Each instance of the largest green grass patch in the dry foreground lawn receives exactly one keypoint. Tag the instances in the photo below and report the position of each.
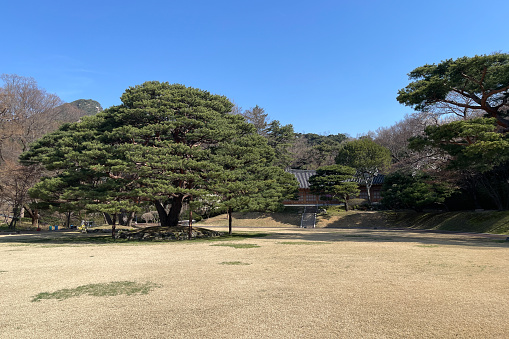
(99, 290)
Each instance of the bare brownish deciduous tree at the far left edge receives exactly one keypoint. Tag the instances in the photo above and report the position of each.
(26, 113)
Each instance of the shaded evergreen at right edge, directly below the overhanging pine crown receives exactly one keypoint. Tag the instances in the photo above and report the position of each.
(474, 149)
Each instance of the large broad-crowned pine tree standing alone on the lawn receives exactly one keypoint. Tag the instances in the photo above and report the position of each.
(162, 146)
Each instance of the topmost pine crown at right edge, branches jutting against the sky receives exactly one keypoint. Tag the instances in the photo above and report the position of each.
(477, 83)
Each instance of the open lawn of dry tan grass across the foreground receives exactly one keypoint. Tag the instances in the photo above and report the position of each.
(290, 283)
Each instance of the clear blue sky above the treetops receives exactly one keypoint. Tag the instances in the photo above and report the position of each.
(323, 66)
